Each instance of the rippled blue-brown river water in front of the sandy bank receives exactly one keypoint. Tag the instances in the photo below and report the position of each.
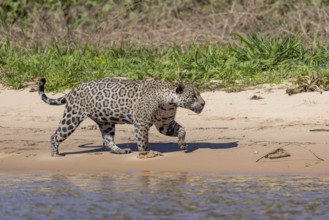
(154, 195)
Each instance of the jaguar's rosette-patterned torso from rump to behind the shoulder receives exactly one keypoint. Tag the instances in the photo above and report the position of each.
(105, 100)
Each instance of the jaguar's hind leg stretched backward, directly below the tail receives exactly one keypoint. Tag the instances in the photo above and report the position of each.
(66, 127)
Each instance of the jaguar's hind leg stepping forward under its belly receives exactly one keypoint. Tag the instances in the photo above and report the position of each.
(108, 133)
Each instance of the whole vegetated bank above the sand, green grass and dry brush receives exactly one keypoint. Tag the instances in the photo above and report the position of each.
(48, 39)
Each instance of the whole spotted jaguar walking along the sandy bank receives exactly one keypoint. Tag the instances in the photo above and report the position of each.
(114, 101)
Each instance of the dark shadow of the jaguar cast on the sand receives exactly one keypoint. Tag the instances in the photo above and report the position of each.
(161, 147)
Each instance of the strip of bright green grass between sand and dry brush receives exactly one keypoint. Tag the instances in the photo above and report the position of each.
(253, 60)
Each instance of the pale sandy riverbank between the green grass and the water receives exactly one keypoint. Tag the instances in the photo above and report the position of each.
(229, 136)
